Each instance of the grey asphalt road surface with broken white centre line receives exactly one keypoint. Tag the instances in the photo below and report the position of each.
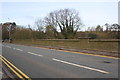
(48, 63)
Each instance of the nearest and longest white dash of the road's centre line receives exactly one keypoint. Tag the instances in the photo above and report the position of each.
(98, 70)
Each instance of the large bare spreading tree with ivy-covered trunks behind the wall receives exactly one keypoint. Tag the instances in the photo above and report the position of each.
(68, 21)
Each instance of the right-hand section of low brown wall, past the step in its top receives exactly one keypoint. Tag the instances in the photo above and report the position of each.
(111, 45)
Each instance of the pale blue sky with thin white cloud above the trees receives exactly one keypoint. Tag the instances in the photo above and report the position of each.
(91, 13)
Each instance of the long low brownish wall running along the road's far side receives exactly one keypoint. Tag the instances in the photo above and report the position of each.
(105, 45)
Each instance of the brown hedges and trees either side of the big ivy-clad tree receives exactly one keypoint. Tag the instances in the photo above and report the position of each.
(19, 32)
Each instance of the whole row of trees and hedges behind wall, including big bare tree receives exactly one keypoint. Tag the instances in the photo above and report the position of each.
(59, 24)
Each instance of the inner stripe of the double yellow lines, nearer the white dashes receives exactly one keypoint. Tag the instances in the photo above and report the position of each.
(9, 63)
